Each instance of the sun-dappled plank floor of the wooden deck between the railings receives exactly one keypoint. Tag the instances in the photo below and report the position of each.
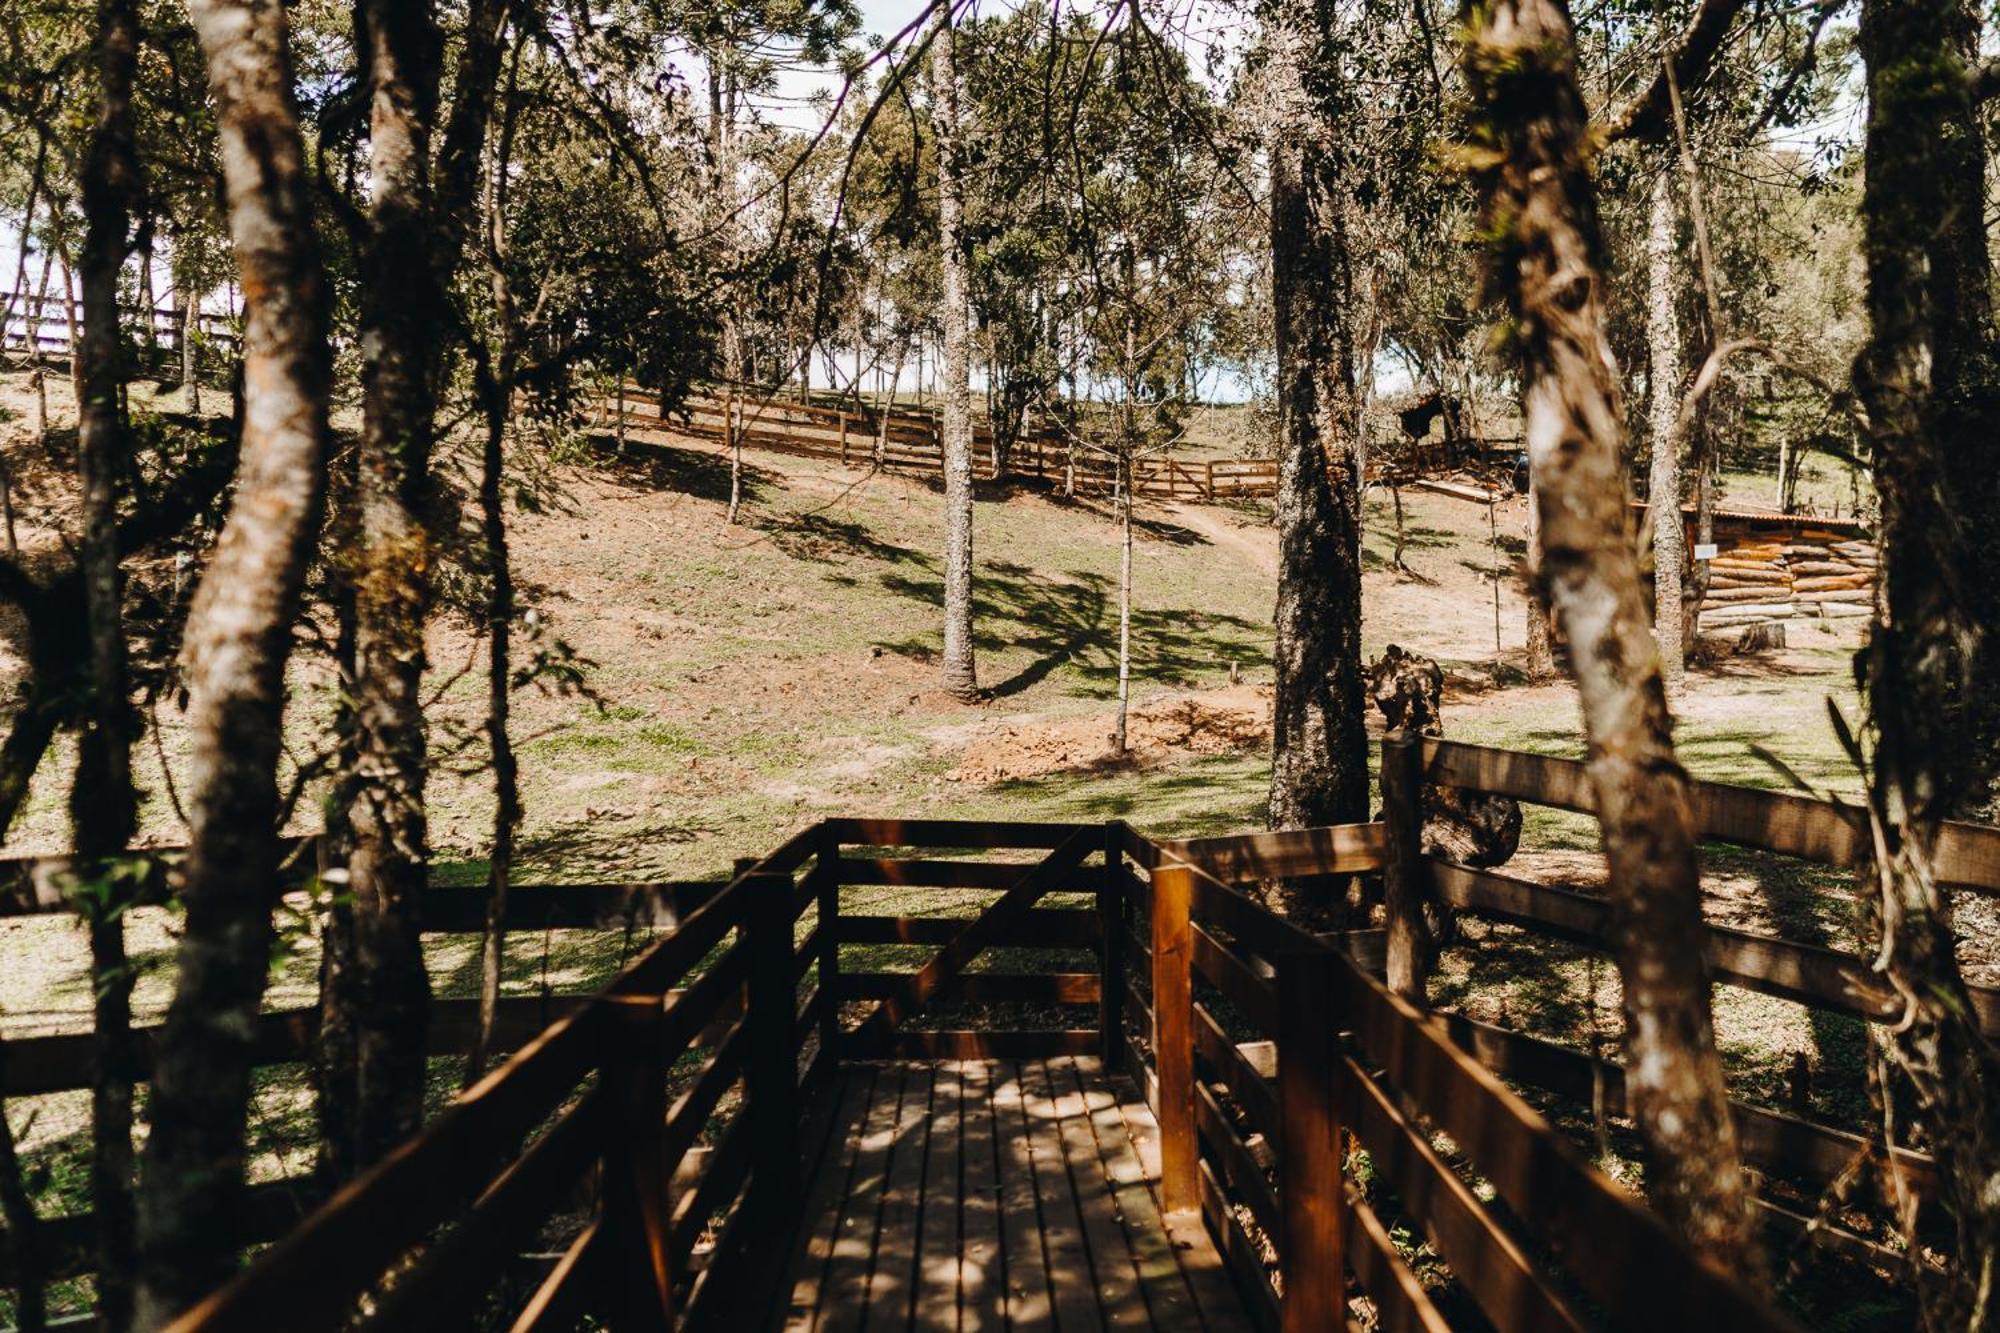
(999, 1196)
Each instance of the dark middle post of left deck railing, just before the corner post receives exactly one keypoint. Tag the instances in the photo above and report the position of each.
(771, 1062)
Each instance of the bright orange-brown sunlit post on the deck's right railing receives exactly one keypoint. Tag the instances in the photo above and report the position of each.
(1173, 1034)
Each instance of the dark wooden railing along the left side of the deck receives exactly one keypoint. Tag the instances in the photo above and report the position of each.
(587, 1118)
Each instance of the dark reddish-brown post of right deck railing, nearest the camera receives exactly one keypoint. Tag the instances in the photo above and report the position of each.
(1311, 1192)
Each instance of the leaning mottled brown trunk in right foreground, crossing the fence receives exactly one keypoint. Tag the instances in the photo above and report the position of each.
(1541, 205)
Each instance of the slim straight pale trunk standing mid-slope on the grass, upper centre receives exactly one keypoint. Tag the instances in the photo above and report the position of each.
(961, 670)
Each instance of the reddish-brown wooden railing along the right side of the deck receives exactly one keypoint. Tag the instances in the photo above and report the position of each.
(1261, 1038)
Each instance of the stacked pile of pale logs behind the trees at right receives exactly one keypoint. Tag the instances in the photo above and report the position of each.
(1805, 573)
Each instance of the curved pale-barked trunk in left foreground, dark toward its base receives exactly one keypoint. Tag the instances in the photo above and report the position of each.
(237, 643)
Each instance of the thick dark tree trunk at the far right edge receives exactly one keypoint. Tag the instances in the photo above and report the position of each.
(1931, 649)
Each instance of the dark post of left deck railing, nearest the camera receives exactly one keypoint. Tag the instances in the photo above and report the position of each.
(641, 1290)
